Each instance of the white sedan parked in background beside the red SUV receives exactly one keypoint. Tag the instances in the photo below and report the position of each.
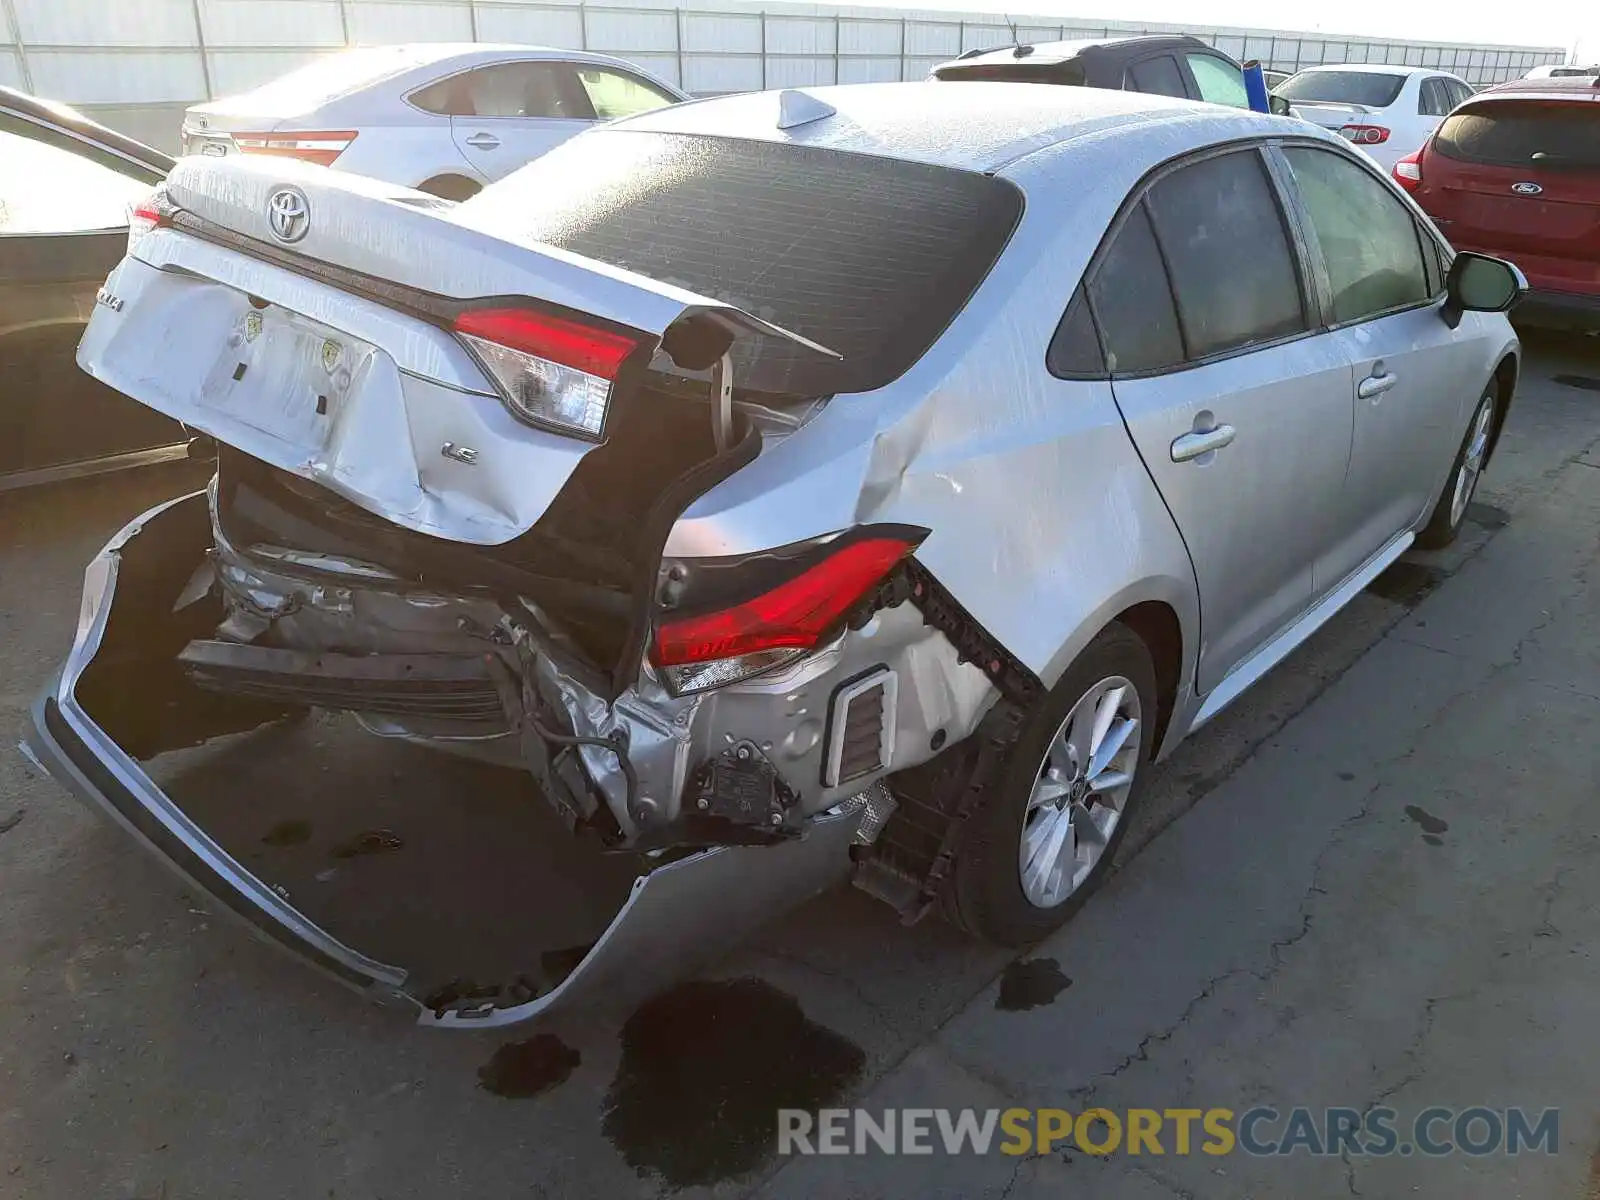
(1386, 111)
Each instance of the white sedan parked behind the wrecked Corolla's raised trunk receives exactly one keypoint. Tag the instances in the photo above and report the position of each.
(446, 119)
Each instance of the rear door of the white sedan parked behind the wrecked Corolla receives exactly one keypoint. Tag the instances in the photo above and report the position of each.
(508, 114)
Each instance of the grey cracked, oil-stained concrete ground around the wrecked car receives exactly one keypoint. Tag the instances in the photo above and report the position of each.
(1369, 882)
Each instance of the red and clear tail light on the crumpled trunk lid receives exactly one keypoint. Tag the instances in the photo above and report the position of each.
(551, 372)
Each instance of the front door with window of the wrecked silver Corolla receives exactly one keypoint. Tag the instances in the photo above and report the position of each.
(1410, 380)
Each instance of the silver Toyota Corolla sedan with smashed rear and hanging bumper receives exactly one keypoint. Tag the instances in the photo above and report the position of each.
(865, 481)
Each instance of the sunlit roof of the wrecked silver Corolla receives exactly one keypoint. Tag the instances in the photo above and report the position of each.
(978, 127)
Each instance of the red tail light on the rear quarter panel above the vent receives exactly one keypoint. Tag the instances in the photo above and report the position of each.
(788, 618)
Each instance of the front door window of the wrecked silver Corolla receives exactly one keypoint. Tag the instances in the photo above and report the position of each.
(1367, 236)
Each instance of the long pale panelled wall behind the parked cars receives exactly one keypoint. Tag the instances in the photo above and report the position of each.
(138, 65)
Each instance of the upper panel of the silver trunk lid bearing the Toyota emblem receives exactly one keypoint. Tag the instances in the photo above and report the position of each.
(374, 230)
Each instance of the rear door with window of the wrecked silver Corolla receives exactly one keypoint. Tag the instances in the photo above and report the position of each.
(1239, 409)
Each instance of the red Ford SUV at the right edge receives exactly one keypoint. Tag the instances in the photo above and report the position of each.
(1516, 174)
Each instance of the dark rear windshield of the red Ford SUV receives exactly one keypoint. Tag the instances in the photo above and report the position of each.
(1535, 134)
